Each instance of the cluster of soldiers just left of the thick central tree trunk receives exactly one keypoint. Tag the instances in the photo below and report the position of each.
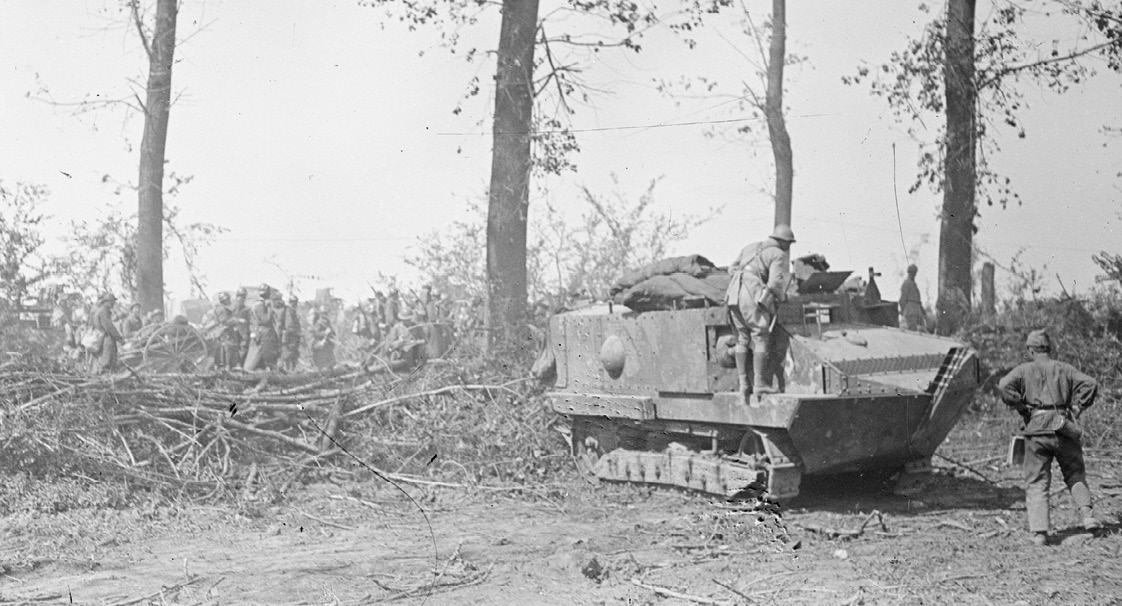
(402, 329)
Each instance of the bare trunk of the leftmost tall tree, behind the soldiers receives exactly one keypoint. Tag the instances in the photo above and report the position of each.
(158, 109)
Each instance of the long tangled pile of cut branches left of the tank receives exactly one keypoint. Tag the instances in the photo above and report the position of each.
(217, 436)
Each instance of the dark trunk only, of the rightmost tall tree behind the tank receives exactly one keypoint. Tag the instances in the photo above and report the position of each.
(959, 206)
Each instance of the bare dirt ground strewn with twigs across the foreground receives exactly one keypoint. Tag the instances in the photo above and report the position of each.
(949, 538)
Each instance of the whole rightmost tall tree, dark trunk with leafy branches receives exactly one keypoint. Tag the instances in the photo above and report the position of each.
(977, 78)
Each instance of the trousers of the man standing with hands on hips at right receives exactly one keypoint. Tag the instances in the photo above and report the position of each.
(1040, 452)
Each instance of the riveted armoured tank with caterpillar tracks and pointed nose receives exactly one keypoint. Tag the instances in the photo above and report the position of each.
(652, 396)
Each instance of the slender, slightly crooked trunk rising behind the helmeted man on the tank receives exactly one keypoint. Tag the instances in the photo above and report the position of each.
(774, 109)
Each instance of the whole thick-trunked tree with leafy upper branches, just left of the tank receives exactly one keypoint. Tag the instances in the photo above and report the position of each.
(528, 137)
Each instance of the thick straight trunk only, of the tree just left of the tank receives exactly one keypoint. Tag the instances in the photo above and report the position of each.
(510, 186)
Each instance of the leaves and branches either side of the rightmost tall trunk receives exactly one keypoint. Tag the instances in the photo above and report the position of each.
(1010, 63)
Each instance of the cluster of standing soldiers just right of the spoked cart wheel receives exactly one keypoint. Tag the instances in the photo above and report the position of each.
(269, 335)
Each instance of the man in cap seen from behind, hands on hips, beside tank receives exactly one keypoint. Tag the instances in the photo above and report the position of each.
(1051, 396)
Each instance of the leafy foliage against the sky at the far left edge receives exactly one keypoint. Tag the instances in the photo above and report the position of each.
(22, 263)
